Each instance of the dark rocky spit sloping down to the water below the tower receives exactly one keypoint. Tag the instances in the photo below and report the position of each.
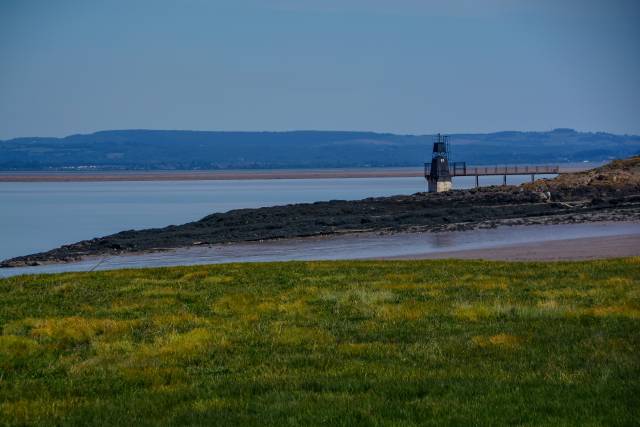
(611, 192)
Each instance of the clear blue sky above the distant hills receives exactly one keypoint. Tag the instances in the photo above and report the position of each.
(401, 66)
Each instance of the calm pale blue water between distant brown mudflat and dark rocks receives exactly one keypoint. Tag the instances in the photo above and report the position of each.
(35, 217)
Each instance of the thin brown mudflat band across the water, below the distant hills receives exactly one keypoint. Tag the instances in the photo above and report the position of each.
(222, 175)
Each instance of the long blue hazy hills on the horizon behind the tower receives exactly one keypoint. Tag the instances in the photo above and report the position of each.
(189, 150)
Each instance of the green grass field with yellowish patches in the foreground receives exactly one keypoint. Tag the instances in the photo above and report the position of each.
(336, 343)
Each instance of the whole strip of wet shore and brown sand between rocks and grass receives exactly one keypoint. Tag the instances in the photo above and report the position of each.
(525, 243)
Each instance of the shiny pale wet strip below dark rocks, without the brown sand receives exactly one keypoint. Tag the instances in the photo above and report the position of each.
(353, 246)
